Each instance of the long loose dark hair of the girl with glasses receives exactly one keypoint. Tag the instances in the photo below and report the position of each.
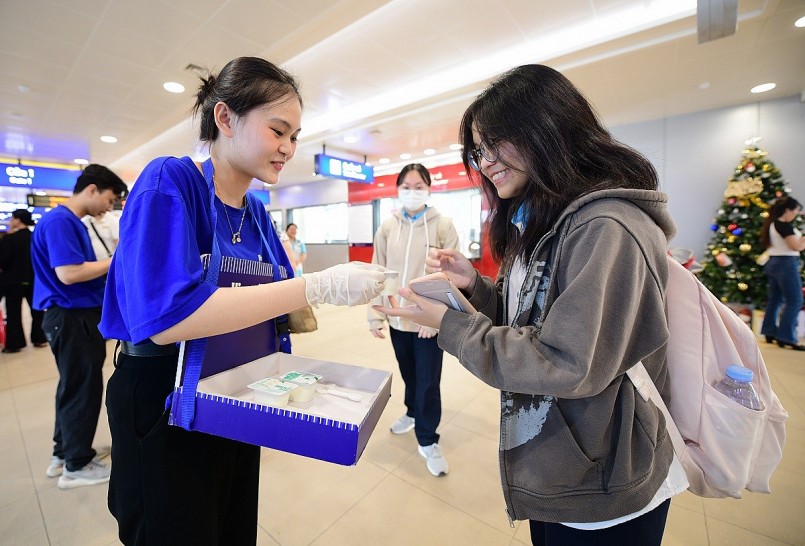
(567, 153)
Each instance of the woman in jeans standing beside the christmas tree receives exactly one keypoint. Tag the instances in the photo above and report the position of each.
(784, 271)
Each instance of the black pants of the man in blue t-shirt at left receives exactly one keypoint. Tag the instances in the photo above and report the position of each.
(80, 351)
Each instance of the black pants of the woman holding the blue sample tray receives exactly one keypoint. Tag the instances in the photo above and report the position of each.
(168, 485)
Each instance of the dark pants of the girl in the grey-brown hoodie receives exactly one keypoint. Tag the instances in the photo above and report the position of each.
(646, 530)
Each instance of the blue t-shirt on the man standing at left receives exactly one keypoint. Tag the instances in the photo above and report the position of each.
(60, 238)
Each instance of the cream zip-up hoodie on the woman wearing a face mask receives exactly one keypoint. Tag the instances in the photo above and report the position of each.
(401, 244)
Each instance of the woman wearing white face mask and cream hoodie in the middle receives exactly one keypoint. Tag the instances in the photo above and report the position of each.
(401, 244)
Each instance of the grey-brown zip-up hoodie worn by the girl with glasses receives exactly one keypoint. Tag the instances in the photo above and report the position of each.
(577, 443)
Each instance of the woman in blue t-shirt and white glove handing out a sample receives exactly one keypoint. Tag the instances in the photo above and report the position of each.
(170, 485)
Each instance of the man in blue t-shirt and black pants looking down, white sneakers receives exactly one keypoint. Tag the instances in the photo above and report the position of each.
(69, 287)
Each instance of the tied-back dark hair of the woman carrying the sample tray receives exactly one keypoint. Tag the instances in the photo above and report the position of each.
(243, 84)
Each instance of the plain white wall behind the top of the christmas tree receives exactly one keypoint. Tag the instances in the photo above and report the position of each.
(696, 154)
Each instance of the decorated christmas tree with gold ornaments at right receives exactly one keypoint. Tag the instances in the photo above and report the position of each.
(733, 269)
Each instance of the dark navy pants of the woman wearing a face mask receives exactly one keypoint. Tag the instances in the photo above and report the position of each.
(420, 363)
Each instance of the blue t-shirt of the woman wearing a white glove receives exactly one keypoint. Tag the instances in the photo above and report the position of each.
(155, 280)
